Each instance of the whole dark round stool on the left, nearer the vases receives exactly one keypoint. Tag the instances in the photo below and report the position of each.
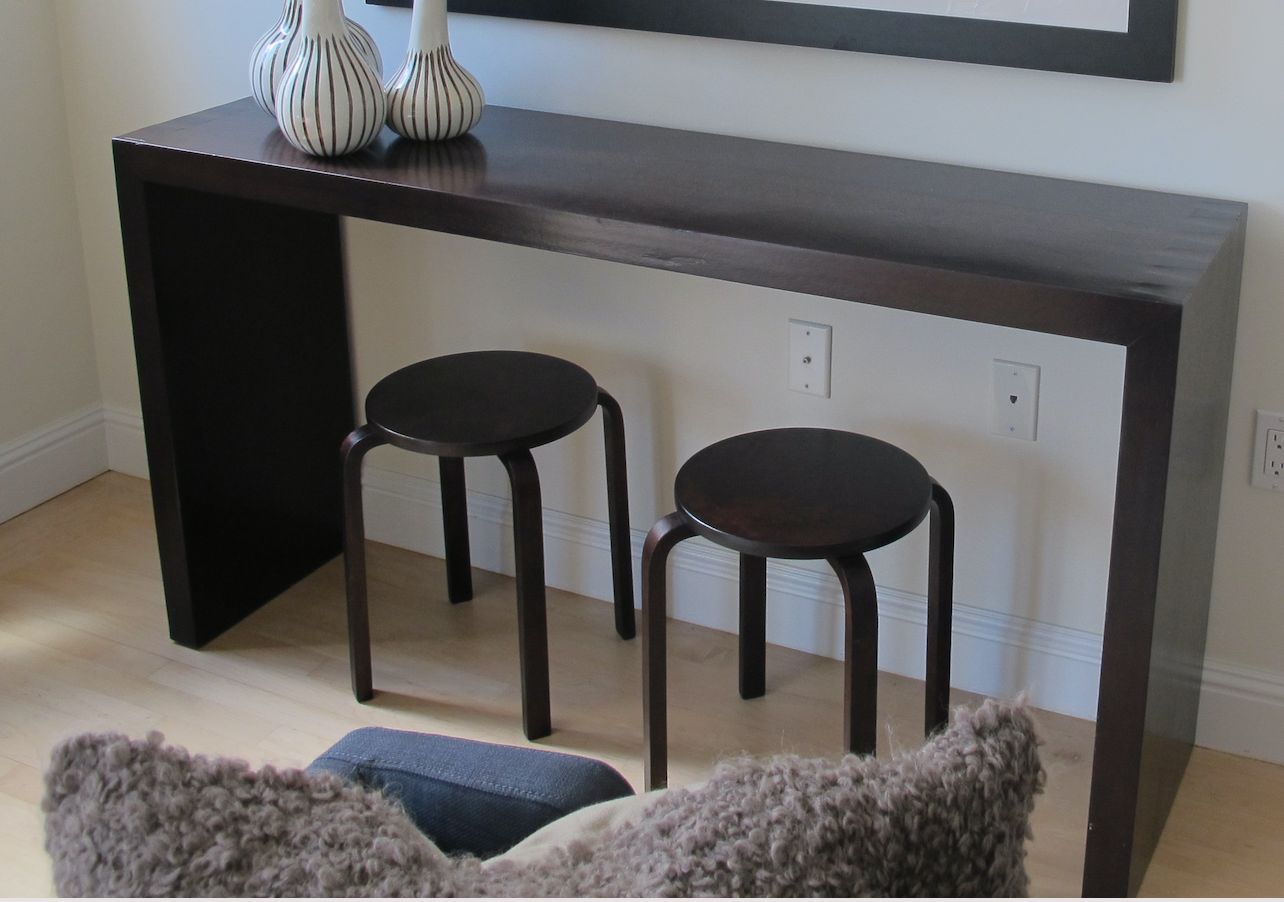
(487, 404)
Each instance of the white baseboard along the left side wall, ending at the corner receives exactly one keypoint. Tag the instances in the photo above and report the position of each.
(48, 462)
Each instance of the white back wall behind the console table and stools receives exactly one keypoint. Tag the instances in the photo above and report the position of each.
(694, 360)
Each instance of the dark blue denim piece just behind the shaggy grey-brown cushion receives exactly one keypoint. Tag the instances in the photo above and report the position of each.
(472, 797)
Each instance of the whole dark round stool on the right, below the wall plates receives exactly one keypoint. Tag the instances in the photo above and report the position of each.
(802, 494)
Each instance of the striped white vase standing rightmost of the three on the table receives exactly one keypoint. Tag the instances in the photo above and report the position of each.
(432, 98)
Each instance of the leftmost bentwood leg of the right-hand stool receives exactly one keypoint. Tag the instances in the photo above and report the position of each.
(655, 712)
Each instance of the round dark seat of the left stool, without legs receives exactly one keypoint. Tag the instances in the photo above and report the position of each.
(482, 403)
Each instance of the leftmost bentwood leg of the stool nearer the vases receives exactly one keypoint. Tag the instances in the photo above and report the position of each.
(355, 449)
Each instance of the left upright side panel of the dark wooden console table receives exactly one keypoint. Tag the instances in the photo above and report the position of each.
(242, 342)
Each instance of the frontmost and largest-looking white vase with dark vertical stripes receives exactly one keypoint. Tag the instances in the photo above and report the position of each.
(331, 101)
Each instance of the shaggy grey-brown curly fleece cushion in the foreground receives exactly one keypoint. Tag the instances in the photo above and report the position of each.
(141, 819)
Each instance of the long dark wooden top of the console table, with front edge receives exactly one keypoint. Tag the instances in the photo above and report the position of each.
(668, 200)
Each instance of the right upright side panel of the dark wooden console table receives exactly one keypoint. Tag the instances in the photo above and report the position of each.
(1184, 381)
